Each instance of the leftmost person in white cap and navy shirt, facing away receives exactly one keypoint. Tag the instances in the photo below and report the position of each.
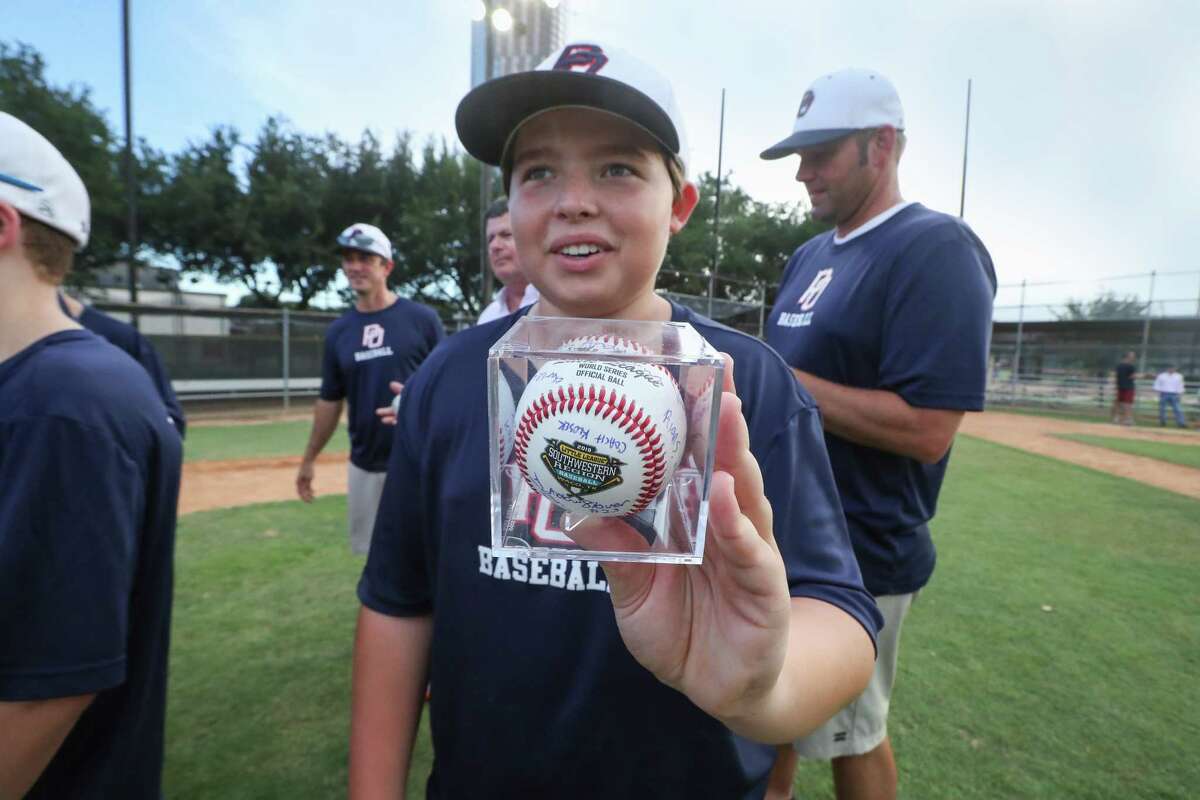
(89, 470)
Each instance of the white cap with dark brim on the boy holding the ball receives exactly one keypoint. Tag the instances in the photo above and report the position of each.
(583, 75)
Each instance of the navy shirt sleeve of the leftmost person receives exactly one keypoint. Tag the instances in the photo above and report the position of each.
(70, 513)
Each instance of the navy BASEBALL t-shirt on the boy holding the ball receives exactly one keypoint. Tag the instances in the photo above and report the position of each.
(535, 693)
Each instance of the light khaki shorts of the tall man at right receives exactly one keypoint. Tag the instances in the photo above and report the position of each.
(861, 727)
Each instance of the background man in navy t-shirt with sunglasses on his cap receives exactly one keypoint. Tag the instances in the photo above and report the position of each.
(370, 352)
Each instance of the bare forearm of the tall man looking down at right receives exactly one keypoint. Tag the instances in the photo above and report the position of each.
(884, 420)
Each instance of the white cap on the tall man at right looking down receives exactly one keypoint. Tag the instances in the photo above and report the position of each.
(838, 105)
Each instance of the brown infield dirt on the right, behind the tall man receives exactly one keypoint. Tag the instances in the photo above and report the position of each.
(1037, 435)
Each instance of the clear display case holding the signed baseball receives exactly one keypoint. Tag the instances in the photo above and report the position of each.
(602, 440)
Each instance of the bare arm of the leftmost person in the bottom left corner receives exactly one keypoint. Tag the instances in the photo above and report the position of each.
(31, 733)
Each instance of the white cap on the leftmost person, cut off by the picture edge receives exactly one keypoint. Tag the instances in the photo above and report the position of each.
(39, 183)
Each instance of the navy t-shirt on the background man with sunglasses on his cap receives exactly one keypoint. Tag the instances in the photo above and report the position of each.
(364, 353)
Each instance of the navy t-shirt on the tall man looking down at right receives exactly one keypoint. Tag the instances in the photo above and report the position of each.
(904, 308)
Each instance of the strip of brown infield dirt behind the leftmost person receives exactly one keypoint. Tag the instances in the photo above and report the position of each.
(226, 484)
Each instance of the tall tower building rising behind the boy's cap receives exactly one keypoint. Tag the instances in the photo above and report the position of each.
(537, 32)
